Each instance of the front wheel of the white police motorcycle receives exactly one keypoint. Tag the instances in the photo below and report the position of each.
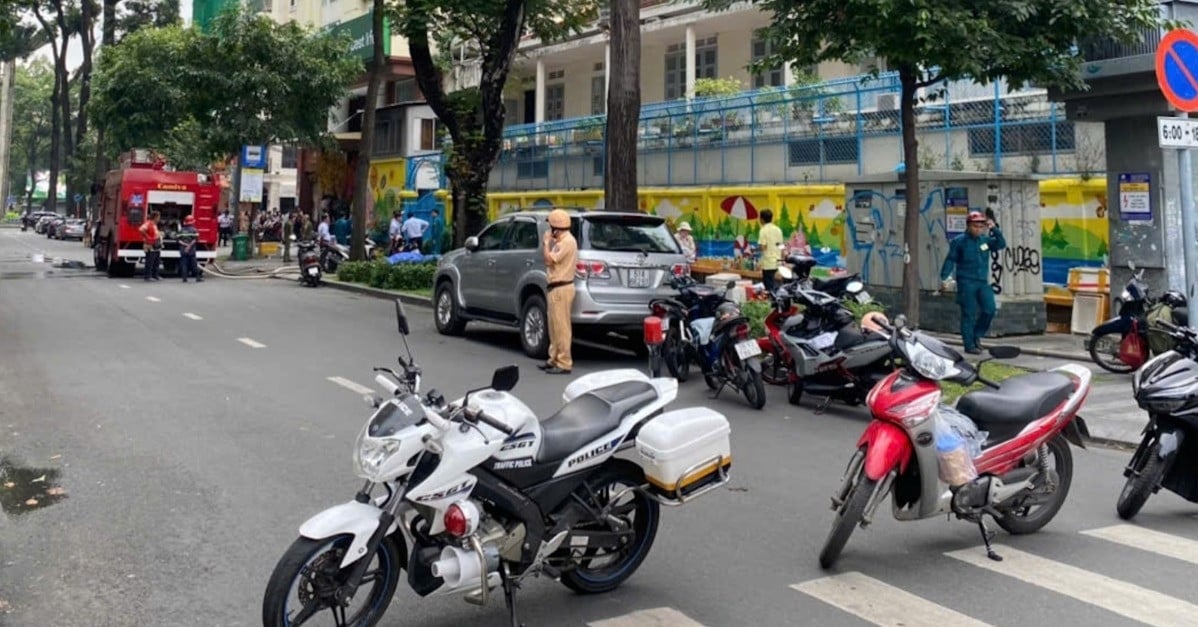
(304, 587)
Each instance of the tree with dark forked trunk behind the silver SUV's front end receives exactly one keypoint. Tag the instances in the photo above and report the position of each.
(474, 118)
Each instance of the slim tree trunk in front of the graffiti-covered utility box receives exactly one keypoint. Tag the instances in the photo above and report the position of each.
(911, 287)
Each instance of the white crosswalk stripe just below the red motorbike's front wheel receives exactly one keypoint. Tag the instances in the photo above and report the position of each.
(881, 604)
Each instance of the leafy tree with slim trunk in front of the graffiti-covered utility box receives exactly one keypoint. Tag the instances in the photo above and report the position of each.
(930, 41)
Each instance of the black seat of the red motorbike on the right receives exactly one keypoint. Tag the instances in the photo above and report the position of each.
(1018, 401)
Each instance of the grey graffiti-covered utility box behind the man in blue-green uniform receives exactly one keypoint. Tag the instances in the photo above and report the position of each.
(876, 208)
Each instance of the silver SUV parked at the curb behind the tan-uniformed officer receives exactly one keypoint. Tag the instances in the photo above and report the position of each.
(500, 276)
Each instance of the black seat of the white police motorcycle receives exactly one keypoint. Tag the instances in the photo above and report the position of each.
(589, 417)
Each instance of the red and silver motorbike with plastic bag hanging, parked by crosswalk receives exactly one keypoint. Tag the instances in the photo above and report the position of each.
(1021, 474)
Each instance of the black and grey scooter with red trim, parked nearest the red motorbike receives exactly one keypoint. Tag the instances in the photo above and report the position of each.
(822, 351)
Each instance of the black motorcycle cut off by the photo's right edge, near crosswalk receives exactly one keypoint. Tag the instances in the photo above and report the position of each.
(1167, 455)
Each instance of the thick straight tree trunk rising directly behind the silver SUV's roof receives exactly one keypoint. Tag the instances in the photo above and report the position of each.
(624, 107)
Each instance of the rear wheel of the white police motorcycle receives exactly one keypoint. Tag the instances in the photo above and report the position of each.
(646, 514)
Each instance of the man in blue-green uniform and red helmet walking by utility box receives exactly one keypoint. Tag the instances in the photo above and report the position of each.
(970, 254)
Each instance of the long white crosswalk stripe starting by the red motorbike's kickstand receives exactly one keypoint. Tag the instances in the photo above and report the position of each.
(1112, 595)
